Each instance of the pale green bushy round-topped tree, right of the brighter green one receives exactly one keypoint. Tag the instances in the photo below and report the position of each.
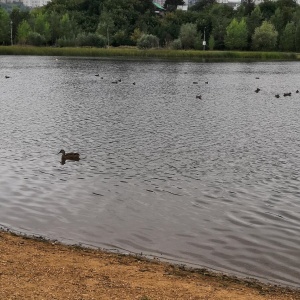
(265, 37)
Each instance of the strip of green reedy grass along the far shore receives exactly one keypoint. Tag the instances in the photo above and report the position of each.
(152, 53)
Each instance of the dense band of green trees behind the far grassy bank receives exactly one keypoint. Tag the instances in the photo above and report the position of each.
(271, 25)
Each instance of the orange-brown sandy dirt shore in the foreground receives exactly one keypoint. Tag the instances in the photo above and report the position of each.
(37, 269)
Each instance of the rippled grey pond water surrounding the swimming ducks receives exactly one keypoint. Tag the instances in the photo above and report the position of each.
(210, 182)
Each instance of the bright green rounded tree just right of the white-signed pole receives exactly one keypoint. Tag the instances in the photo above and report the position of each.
(236, 35)
